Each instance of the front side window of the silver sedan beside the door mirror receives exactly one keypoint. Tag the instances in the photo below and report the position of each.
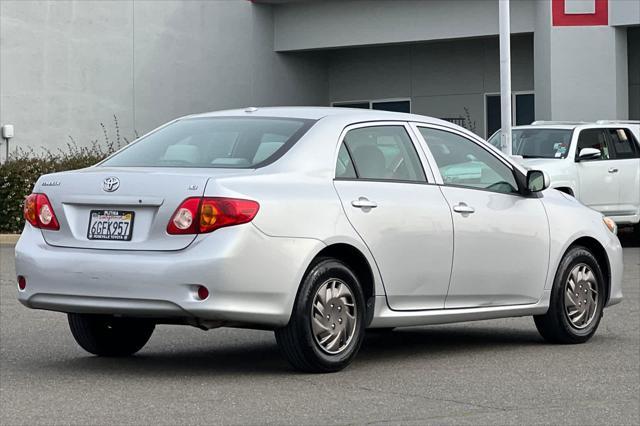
(464, 163)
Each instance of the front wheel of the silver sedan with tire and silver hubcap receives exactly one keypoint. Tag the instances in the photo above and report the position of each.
(577, 299)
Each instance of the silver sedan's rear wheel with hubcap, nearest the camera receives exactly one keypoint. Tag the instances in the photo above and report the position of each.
(327, 326)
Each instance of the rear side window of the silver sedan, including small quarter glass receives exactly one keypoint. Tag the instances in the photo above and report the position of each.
(380, 153)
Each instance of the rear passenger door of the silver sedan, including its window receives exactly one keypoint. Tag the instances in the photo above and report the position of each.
(391, 201)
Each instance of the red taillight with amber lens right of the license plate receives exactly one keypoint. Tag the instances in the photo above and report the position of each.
(201, 215)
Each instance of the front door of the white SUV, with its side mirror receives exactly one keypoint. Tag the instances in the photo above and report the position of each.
(598, 178)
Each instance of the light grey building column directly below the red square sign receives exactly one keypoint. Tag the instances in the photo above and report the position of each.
(580, 72)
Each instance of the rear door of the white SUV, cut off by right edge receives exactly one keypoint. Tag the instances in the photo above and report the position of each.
(626, 165)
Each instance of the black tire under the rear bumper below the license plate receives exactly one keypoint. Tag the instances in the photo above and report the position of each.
(106, 335)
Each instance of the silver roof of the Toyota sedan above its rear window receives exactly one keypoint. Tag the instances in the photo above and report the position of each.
(317, 113)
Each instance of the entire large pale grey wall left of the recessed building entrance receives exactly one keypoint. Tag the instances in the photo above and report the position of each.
(68, 65)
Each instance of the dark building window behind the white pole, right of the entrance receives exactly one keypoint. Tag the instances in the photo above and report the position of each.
(523, 110)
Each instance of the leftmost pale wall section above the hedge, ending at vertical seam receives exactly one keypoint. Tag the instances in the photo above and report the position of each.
(64, 68)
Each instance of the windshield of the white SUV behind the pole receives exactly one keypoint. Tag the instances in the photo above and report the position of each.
(537, 143)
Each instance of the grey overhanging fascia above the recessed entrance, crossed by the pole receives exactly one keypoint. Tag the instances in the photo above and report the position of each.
(322, 24)
